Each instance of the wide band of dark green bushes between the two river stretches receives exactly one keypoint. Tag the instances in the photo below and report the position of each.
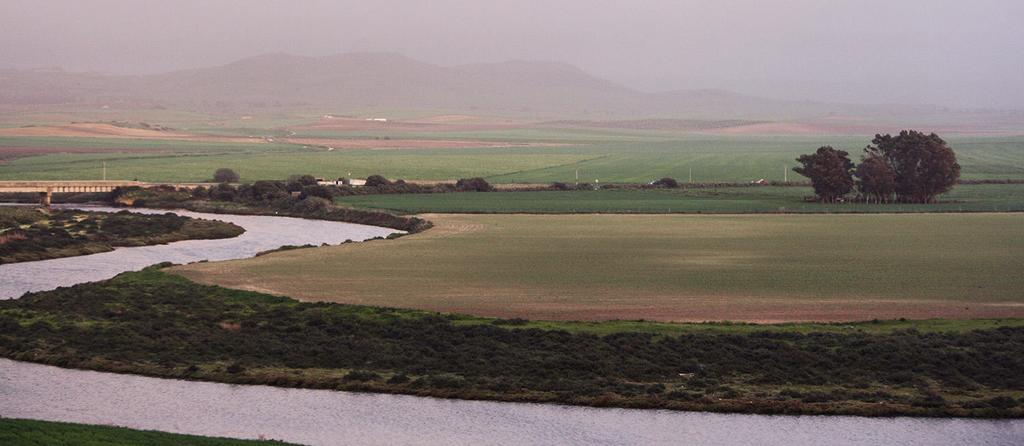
(154, 324)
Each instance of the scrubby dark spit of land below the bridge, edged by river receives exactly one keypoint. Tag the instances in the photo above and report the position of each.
(30, 235)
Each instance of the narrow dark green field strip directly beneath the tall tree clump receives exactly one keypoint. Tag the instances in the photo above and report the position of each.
(982, 198)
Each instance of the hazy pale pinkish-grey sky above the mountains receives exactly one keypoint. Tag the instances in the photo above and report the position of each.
(951, 53)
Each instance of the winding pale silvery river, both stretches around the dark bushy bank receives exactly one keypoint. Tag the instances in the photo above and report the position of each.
(329, 418)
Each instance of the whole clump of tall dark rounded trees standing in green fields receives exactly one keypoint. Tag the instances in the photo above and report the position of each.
(911, 167)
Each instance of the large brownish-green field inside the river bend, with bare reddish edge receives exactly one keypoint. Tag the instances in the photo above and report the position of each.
(669, 267)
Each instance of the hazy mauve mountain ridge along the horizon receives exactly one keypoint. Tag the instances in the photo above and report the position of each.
(396, 82)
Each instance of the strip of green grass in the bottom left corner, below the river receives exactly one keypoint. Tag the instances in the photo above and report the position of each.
(34, 433)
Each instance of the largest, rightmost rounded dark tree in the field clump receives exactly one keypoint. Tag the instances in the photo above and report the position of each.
(924, 165)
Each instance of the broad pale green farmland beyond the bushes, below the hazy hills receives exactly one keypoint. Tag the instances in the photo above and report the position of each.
(609, 157)
